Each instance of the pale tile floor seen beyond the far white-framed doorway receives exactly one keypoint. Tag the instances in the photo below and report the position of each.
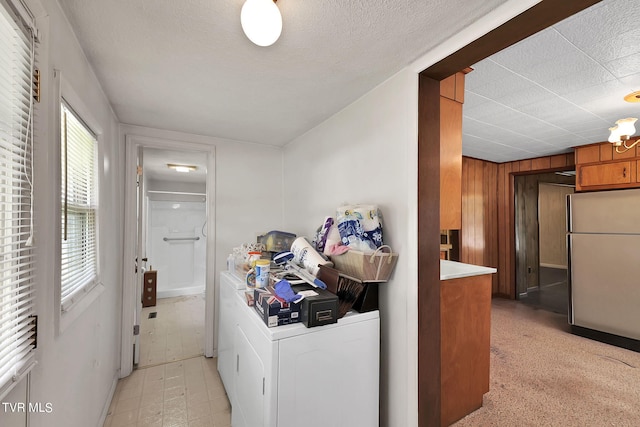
(175, 333)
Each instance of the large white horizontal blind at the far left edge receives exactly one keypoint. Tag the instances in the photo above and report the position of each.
(17, 335)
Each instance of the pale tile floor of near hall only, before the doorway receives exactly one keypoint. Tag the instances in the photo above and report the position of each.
(186, 393)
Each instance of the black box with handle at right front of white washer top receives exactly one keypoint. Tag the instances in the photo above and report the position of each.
(319, 306)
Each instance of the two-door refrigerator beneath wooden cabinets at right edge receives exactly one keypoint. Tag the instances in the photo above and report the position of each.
(604, 262)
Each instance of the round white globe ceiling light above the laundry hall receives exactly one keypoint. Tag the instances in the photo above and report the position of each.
(261, 21)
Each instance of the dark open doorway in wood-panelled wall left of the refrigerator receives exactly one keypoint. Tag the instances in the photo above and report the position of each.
(540, 229)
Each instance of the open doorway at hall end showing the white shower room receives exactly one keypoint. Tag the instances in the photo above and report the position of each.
(167, 217)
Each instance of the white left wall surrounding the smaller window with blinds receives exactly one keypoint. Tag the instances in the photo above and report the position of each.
(76, 368)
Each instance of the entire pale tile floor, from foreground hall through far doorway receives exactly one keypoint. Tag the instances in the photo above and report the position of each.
(174, 385)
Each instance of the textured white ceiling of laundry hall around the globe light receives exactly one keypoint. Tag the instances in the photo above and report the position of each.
(185, 65)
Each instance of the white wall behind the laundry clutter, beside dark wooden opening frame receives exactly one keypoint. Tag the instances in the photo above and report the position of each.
(367, 154)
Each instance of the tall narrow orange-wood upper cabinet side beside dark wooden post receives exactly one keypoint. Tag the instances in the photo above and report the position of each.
(451, 99)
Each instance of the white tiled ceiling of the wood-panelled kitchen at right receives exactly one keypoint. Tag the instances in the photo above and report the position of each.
(560, 88)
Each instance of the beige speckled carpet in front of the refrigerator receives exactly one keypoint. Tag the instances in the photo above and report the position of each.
(541, 375)
